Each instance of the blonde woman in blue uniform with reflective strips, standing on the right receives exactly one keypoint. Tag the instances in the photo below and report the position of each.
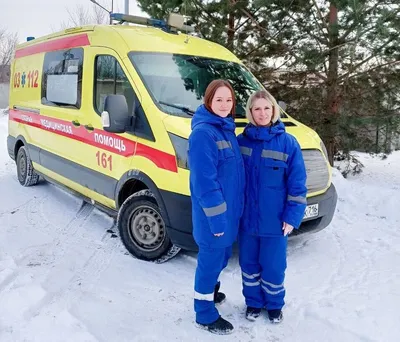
(275, 200)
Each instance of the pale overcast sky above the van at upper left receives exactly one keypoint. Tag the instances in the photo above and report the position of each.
(40, 17)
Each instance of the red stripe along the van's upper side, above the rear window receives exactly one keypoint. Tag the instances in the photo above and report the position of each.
(53, 45)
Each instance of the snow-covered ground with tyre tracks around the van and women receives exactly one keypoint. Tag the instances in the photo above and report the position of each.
(65, 277)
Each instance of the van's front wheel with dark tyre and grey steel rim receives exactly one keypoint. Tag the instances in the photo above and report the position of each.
(142, 229)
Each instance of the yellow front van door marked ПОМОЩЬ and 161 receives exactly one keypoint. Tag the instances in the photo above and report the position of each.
(107, 155)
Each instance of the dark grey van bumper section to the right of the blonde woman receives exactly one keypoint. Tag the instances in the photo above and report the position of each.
(326, 209)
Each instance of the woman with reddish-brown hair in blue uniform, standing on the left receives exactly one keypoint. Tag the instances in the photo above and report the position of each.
(217, 193)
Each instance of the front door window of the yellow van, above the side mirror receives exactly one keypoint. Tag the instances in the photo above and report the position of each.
(110, 79)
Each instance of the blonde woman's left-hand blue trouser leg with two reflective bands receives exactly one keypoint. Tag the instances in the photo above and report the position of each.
(249, 248)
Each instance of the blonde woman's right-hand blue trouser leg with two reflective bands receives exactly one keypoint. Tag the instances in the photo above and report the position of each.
(273, 261)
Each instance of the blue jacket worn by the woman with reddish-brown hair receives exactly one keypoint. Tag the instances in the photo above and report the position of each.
(216, 179)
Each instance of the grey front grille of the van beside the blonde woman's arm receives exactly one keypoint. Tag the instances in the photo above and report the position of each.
(317, 170)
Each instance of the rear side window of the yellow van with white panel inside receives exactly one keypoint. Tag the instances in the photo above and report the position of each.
(62, 78)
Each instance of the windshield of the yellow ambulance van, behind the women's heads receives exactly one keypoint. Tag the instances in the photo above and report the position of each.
(177, 83)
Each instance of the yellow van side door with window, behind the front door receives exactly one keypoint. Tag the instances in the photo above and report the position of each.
(62, 110)
